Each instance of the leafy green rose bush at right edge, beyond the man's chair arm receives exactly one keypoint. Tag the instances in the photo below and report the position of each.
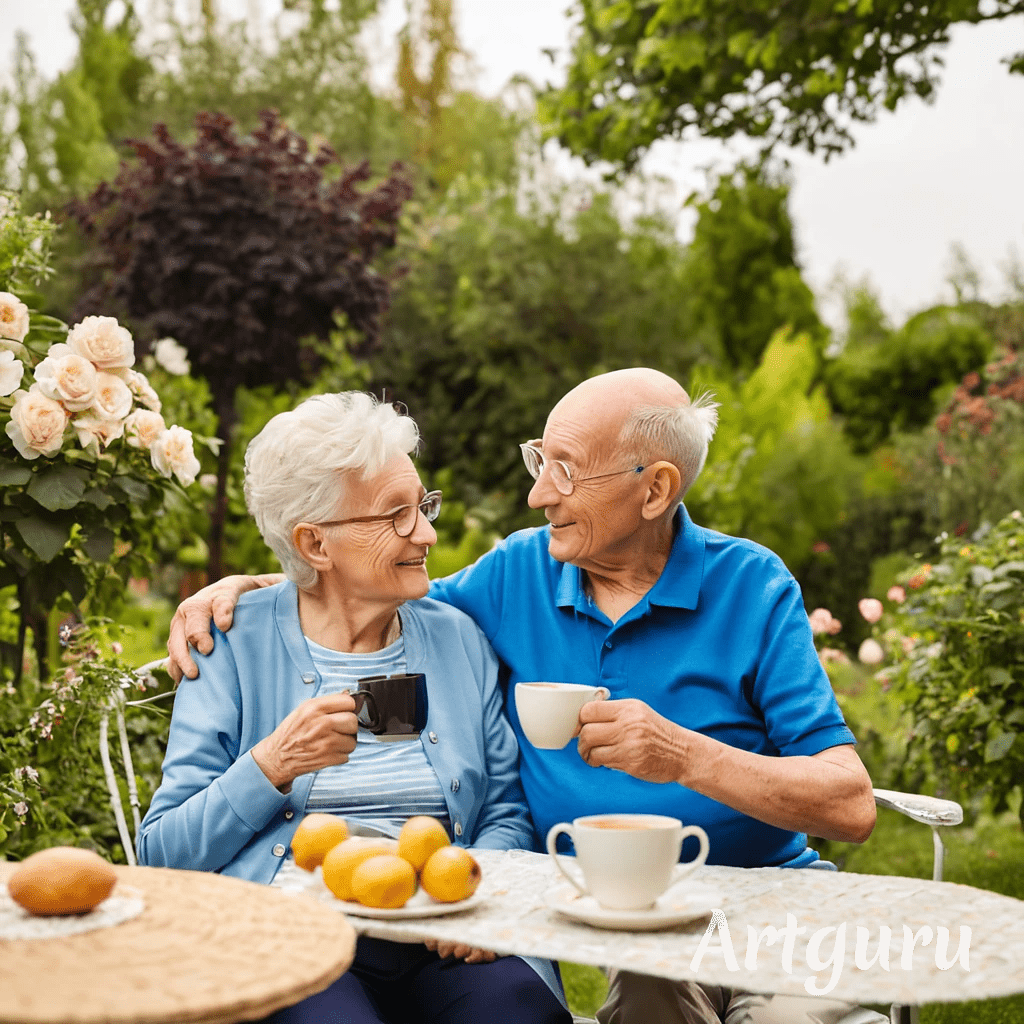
(963, 679)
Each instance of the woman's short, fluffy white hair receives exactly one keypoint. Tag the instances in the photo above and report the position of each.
(297, 464)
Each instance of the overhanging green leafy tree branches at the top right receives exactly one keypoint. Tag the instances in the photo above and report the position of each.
(795, 74)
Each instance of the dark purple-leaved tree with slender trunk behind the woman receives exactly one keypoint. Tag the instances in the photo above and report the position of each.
(239, 248)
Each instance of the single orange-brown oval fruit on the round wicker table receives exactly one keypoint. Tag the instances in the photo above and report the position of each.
(62, 880)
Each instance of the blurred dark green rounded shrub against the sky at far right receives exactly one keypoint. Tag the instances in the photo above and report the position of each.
(890, 385)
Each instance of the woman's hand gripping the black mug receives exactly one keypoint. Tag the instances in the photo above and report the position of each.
(320, 733)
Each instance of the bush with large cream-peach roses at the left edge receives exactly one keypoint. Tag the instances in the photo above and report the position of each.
(88, 462)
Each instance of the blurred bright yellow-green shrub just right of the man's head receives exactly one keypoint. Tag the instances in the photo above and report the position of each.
(779, 471)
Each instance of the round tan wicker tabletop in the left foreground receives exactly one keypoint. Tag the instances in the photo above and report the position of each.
(206, 949)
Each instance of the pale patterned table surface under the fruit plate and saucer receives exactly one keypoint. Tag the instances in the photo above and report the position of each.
(829, 911)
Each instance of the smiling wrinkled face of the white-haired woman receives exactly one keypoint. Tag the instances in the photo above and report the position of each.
(370, 559)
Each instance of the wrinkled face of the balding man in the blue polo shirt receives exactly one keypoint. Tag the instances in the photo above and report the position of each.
(595, 524)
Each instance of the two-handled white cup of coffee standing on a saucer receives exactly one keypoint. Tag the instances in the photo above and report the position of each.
(628, 861)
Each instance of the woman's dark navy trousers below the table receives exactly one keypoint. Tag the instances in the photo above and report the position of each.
(406, 984)
